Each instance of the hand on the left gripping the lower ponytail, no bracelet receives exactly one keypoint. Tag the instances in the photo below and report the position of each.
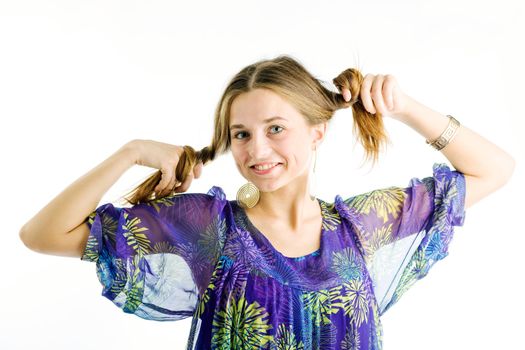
(164, 157)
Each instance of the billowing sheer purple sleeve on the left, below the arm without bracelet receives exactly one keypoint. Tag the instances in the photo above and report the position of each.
(155, 259)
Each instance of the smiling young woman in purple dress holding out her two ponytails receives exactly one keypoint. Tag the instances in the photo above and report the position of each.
(276, 267)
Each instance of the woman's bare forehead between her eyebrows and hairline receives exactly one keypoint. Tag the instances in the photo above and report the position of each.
(260, 104)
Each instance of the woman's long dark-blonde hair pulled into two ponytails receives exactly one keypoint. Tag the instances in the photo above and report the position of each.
(287, 77)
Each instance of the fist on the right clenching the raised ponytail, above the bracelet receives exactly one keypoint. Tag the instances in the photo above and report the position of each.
(381, 93)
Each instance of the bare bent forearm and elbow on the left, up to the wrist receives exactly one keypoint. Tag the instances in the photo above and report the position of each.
(58, 228)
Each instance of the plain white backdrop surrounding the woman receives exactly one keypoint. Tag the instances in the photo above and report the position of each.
(78, 79)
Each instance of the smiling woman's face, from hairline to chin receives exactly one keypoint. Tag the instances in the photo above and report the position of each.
(286, 139)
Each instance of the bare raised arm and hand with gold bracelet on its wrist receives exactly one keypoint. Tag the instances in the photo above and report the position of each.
(486, 166)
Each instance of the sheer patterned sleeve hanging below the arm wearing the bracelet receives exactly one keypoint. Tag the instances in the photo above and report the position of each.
(403, 231)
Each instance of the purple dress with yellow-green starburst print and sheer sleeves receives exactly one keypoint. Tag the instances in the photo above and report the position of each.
(198, 255)
